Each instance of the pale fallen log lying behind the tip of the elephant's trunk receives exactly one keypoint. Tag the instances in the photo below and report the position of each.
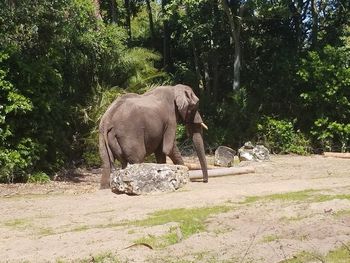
(197, 174)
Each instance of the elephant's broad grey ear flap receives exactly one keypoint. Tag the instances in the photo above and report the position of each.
(185, 100)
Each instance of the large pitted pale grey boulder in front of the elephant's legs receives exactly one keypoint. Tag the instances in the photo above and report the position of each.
(137, 179)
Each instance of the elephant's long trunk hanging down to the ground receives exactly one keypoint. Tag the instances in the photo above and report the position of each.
(197, 137)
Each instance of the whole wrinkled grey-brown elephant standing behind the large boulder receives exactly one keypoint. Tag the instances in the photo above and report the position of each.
(135, 126)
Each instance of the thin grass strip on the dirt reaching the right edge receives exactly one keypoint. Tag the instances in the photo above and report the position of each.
(305, 195)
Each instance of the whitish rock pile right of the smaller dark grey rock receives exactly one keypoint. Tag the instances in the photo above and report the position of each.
(249, 152)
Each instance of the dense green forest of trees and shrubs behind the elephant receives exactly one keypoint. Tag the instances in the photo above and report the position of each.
(270, 71)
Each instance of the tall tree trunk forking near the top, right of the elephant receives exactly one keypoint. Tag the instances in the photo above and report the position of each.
(235, 26)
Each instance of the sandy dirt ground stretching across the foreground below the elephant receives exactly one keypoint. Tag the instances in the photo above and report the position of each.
(289, 205)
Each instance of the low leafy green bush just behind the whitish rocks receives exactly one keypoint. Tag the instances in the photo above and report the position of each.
(280, 136)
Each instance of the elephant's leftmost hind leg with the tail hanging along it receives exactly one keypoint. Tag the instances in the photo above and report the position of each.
(106, 156)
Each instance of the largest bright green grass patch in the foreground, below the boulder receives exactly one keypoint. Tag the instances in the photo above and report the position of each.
(190, 221)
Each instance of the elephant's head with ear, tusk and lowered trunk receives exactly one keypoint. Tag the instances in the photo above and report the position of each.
(187, 106)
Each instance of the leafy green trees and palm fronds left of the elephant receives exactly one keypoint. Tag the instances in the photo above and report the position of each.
(54, 55)
